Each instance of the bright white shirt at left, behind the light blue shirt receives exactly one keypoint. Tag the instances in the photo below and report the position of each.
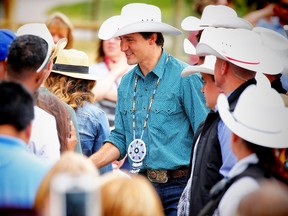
(44, 141)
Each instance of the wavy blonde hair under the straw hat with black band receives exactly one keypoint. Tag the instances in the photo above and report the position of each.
(72, 91)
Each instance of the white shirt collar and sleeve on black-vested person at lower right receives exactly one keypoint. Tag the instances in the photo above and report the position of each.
(229, 203)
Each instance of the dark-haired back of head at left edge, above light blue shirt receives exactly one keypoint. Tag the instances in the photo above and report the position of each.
(16, 106)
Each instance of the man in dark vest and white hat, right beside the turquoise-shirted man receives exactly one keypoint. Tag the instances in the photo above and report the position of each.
(206, 147)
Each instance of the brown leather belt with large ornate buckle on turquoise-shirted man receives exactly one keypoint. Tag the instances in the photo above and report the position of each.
(162, 176)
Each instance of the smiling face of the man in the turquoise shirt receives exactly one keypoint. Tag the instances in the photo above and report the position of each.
(136, 48)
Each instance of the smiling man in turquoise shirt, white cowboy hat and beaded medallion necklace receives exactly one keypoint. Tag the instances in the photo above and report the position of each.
(157, 111)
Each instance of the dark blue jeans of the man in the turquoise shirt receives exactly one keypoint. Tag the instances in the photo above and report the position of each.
(170, 194)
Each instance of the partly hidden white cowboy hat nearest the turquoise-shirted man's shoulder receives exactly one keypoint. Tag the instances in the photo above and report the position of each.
(207, 67)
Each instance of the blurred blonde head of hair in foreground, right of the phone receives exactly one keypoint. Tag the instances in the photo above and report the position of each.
(135, 195)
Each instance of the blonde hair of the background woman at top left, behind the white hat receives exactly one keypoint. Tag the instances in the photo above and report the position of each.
(61, 20)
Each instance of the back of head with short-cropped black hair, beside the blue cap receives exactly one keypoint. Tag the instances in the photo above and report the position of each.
(25, 60)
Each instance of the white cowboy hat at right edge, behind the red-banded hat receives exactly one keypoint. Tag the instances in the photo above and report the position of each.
(276, 42)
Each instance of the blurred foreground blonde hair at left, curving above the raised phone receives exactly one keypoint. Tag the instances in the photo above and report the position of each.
(71, 162)
